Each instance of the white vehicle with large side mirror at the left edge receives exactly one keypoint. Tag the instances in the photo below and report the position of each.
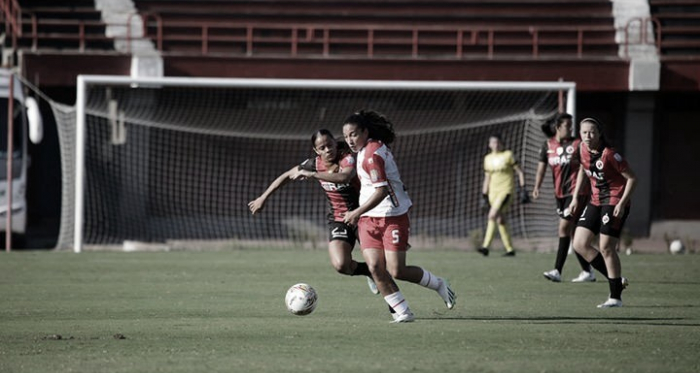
(27, 125)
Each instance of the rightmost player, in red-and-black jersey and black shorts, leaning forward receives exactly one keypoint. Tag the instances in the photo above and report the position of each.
(612, 182)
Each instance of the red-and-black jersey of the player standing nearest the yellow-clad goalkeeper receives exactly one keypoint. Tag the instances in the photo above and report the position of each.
(564, 158)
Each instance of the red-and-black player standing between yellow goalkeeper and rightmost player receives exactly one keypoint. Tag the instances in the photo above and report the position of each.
(561, 152)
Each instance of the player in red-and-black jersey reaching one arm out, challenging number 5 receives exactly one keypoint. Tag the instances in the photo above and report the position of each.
(335, 170)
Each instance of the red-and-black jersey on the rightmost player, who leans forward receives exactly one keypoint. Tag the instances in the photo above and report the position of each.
(604, 170)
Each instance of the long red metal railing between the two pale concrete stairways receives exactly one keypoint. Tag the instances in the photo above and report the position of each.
(322, 40)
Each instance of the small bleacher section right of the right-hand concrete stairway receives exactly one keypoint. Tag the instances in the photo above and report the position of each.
(680, 26)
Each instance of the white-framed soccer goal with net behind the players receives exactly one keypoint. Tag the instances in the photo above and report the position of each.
(174, 161)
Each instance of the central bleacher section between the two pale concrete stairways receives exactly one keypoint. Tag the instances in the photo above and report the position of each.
(574, 28)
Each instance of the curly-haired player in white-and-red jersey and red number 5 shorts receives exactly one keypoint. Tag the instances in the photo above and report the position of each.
(382, 217)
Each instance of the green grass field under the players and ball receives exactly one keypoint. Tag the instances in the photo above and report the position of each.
(224, 312)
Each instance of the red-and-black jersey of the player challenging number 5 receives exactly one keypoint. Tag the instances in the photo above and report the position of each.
(341, 197)
